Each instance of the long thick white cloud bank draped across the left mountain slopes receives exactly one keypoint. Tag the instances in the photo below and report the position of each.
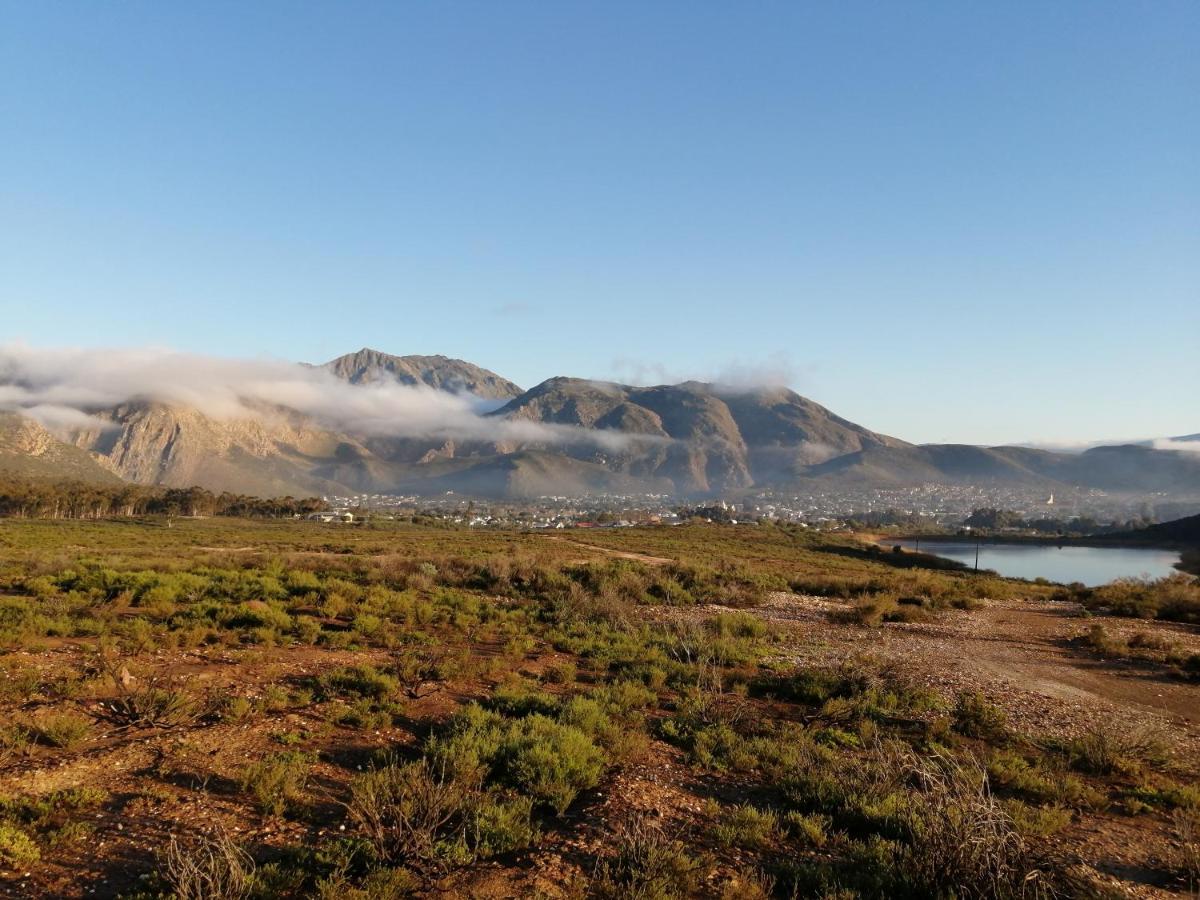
(69, 389)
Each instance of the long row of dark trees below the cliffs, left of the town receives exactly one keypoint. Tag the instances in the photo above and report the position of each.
(25, 499)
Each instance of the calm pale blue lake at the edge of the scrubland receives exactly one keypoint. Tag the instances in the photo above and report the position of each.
(1090, 566)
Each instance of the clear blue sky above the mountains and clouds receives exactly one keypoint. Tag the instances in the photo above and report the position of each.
(956, 221)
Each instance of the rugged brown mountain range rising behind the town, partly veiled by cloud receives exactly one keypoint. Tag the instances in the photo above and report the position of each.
(566, 436)
